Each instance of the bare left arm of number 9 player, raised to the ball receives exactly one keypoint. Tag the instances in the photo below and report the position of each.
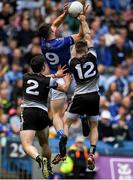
(60, 19)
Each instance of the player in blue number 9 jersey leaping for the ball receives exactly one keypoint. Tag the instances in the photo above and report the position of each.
(57, 52)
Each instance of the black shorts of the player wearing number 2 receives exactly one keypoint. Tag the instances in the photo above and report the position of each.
(33, 118)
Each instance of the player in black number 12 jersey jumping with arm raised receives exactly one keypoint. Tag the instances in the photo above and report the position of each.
(85, 101)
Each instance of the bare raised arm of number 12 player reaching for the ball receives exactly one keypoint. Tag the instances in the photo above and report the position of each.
(86, 31)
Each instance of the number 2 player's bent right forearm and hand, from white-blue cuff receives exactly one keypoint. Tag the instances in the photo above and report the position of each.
(64, 87)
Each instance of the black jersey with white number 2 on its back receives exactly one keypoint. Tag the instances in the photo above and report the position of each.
(36, 87)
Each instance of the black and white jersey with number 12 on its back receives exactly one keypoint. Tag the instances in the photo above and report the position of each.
(85, 72)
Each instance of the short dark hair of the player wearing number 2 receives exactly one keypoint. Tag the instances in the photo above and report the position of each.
(37, 63)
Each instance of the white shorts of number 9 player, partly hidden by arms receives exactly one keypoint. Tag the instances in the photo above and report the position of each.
(55, 94)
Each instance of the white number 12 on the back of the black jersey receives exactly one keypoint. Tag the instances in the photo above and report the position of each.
(88, 73)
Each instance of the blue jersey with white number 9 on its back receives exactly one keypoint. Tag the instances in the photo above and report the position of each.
(57, 52)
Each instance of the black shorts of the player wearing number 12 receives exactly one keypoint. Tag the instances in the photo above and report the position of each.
(85, 104)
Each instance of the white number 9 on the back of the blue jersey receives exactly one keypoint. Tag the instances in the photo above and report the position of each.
(53, 58)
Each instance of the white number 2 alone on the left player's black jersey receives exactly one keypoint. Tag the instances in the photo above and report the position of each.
(31, 89)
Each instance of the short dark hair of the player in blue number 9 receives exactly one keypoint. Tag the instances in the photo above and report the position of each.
(44, 30)
